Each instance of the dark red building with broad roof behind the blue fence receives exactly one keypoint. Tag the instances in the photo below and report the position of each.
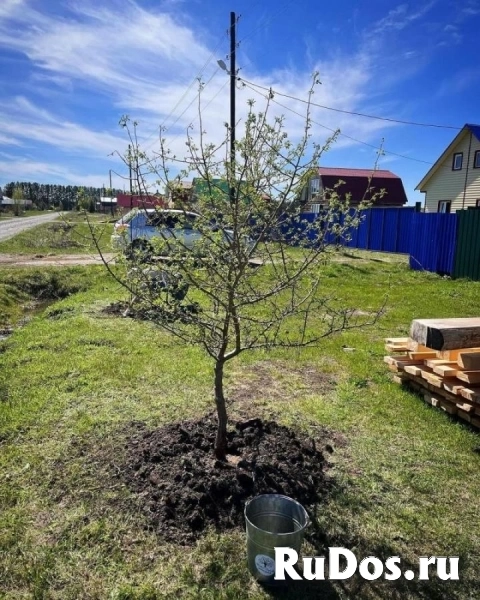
(359, 184)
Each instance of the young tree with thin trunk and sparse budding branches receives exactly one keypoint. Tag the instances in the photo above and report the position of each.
(207, 292)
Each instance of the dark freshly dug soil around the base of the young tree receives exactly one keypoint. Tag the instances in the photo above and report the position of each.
(183, 489)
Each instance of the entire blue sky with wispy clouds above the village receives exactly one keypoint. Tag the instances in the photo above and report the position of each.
(70, 70)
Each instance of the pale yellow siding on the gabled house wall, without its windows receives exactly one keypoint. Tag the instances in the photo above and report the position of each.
(446, 184)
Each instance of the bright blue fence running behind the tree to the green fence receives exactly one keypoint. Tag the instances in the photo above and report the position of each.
(429, 238)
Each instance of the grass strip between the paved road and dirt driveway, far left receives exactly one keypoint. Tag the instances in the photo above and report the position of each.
(73, 233)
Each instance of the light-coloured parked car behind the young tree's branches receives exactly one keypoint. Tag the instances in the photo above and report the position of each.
(135, 230)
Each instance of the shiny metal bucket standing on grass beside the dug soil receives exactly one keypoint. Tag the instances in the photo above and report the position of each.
(272, 520)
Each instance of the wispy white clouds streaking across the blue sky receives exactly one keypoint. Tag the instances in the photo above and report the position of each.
(141, 62)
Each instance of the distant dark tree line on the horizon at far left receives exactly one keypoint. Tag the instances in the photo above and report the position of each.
(64, 197)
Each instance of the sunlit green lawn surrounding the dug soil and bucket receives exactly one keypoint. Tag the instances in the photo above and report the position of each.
(405, 476)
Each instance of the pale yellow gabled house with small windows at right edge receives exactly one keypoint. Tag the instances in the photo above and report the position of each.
(453, 182)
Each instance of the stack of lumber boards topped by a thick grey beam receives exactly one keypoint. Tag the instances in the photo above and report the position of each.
(441, 360)
